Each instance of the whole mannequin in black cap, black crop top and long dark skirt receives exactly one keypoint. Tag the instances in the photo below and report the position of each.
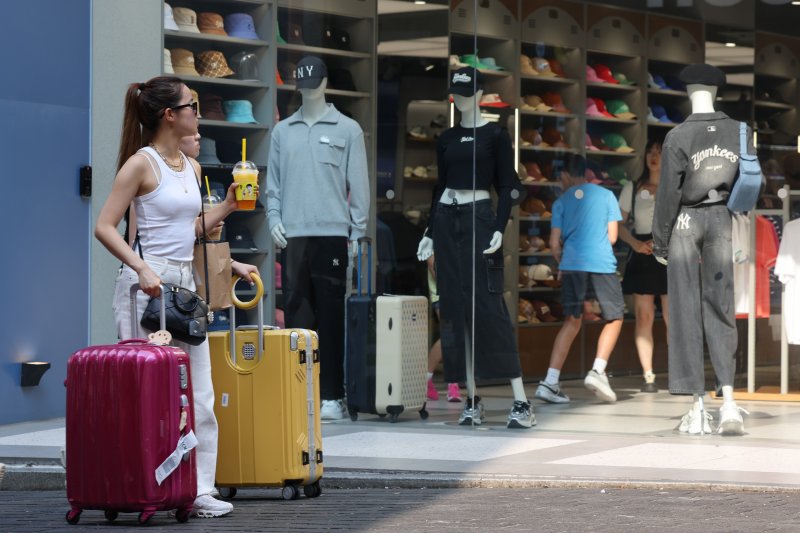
(452, 232)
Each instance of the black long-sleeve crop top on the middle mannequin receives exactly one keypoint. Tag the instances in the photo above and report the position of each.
(494, 167)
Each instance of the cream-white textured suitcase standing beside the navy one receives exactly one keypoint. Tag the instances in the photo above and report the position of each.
(401, 358)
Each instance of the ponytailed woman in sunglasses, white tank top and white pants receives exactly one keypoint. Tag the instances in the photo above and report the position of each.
(162, 184)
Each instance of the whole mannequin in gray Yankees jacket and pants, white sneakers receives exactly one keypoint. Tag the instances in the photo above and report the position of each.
(692, 226)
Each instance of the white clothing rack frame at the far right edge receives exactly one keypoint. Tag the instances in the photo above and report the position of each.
(786, 195)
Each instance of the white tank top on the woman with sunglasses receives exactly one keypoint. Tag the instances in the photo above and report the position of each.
(166, 216)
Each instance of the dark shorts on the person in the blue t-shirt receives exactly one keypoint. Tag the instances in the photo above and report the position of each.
(577, 286)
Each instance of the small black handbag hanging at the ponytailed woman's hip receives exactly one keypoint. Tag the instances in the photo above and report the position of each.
(186, 314)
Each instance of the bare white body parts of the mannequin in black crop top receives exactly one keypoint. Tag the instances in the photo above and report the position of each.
(470, 117)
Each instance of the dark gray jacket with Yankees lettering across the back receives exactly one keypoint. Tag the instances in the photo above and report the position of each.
(699, 163)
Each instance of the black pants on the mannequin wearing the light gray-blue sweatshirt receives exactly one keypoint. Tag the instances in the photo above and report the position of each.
(313, 274)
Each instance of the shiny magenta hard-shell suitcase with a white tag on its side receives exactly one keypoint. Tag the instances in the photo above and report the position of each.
(129, 413)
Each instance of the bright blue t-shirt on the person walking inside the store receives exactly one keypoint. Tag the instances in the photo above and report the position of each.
(584, 228)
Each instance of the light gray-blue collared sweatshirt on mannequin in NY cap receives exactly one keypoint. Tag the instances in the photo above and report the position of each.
(317, 179)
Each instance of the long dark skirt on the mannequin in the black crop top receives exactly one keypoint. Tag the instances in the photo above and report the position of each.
(496, 353)
